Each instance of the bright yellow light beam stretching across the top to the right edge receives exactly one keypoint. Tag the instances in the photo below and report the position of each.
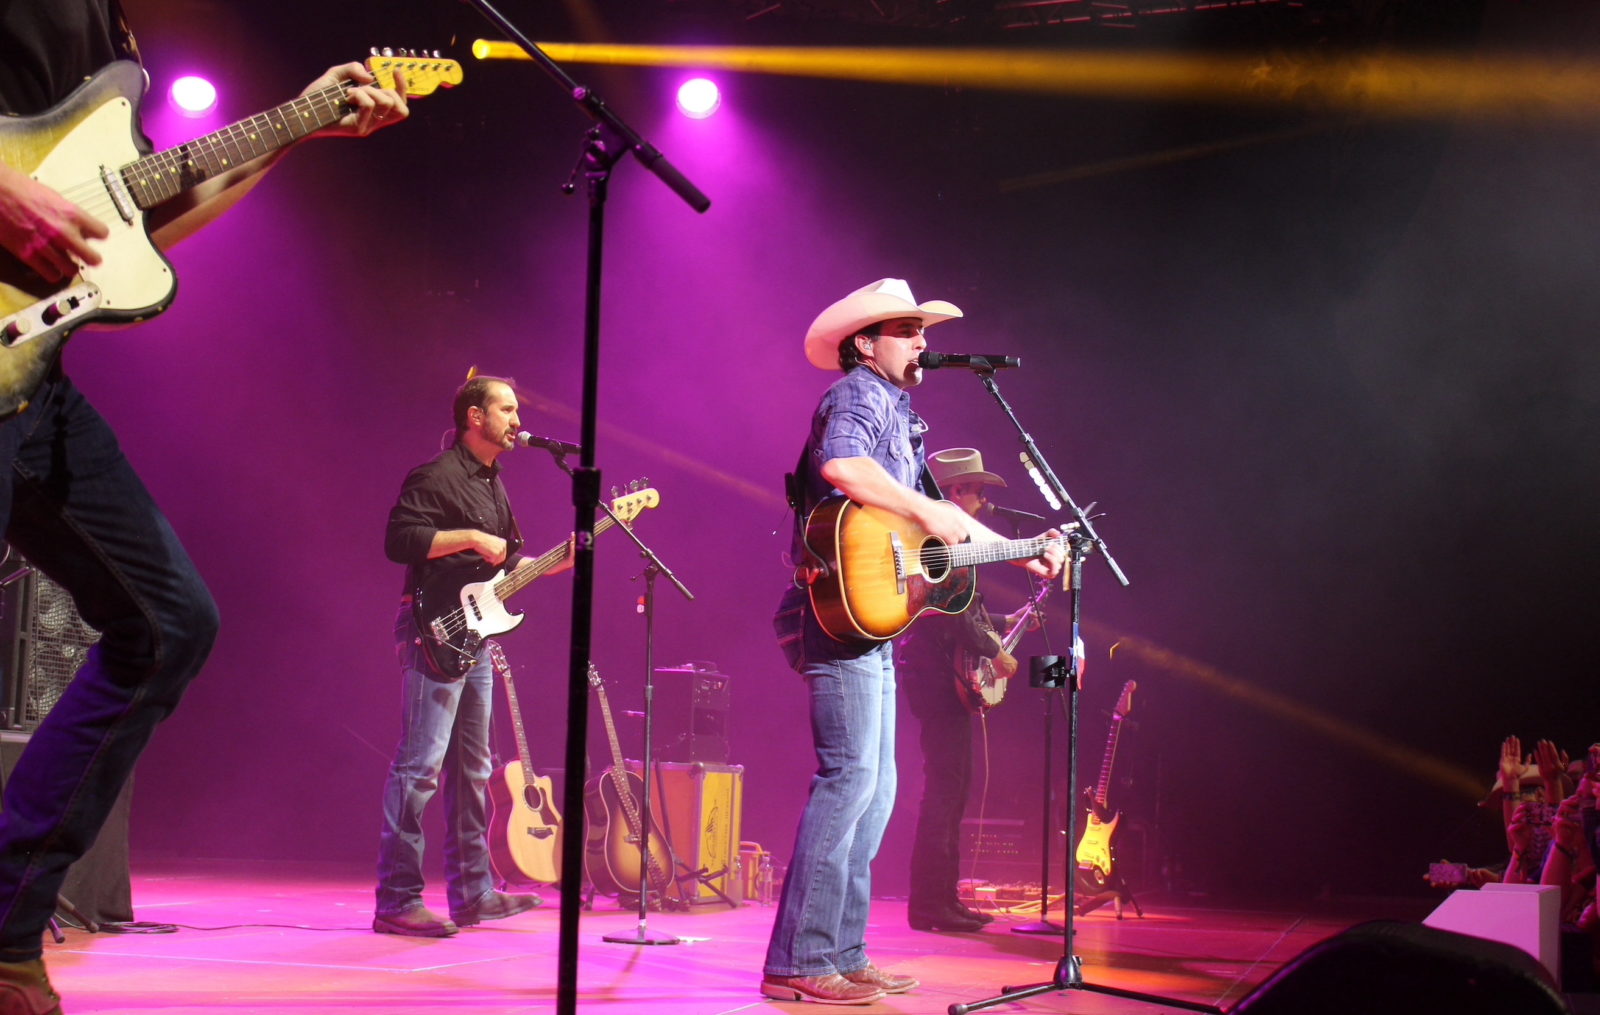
(1401, 86)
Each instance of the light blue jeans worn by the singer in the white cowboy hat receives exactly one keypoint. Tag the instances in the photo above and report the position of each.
(823, 915)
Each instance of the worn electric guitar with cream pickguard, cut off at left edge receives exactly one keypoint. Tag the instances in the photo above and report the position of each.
(90, 150)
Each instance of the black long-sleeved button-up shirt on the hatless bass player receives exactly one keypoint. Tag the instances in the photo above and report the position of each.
(454, 491)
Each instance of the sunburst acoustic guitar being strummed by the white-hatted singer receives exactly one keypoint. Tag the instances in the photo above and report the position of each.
(874, 572)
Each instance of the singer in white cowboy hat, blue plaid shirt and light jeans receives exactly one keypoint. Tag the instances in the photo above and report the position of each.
(866, 444)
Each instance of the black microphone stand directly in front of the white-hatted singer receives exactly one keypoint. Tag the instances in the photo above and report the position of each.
(1081, 544)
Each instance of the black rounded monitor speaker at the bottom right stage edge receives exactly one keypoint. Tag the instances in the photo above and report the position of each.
(1388, 968)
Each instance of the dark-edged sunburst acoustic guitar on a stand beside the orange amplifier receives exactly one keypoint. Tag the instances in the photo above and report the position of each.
(612, 849)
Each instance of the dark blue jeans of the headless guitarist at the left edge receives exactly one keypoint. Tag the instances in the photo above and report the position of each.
(74, 507)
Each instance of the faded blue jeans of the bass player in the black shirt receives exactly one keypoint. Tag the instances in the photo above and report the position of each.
(444, 731)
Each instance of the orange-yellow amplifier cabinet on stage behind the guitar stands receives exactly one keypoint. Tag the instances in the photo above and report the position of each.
(698, 808)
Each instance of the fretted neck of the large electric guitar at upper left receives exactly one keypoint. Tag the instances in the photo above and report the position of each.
(169, 174)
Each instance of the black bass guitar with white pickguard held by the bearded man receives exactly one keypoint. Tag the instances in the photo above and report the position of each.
(455, 619)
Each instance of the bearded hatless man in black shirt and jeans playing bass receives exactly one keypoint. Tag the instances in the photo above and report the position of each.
(452, 523)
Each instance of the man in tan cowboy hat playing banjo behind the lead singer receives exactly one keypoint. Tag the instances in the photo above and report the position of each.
(927, 668)
